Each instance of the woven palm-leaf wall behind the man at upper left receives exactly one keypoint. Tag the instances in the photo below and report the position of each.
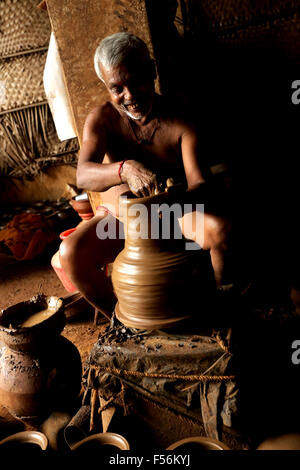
(28, 139)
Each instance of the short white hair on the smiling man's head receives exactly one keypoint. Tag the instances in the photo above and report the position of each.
(114, 49)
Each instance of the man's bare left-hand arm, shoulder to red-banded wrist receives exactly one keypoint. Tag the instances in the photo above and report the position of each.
(92, 174)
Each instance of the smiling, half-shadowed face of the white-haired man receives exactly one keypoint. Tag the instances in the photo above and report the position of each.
(131, 87)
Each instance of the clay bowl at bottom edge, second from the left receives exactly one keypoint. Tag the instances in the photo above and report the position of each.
(101, 443)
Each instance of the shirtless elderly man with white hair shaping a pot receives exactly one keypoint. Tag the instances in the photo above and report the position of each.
(133, 142)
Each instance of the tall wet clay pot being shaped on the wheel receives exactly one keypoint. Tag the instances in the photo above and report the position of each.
(152, 274)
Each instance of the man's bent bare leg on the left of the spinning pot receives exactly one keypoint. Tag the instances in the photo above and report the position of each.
(83, 255)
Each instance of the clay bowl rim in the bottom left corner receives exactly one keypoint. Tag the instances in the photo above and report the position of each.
(26, 442)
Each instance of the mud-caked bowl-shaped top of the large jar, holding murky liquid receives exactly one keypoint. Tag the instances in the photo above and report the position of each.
(26, 339)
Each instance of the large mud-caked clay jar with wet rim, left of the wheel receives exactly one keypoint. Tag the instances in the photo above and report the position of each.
(31, 358)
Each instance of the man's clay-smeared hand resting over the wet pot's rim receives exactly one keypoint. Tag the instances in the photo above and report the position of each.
(141, 181)
